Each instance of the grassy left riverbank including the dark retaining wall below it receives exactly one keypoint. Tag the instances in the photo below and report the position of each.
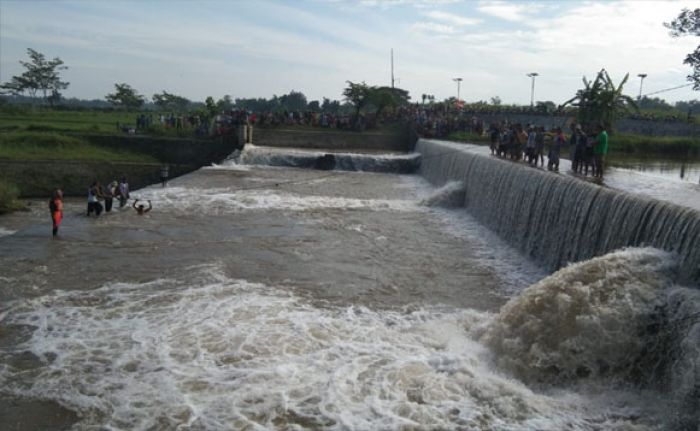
(32, 164)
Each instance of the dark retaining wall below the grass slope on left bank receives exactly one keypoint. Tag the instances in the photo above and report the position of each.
(39, 178)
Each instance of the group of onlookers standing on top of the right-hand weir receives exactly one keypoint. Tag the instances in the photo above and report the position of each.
(516, 142)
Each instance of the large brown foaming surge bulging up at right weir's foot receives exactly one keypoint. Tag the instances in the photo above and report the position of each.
(585, 320)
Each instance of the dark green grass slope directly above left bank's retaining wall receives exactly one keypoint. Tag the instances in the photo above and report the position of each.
(54, 146)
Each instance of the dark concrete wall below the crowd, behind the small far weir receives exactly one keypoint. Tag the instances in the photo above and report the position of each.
(333, 140)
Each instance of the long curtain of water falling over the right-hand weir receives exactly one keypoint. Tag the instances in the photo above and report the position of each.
(557, 219)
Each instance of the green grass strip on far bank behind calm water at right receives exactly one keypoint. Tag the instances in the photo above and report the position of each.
(666, 145)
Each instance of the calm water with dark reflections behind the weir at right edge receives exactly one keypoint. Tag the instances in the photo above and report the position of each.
(684, 169)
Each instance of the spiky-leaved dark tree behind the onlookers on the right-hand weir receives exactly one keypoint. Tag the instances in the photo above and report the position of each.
(600, 101)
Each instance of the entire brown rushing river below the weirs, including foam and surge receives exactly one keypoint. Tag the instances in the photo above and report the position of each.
(254, 297)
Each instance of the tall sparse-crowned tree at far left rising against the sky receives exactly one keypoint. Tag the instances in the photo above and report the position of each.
(40, 75)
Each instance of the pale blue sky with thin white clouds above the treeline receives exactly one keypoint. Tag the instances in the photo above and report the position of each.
(259, 48)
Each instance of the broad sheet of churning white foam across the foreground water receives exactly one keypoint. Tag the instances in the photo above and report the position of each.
(213, 353)
